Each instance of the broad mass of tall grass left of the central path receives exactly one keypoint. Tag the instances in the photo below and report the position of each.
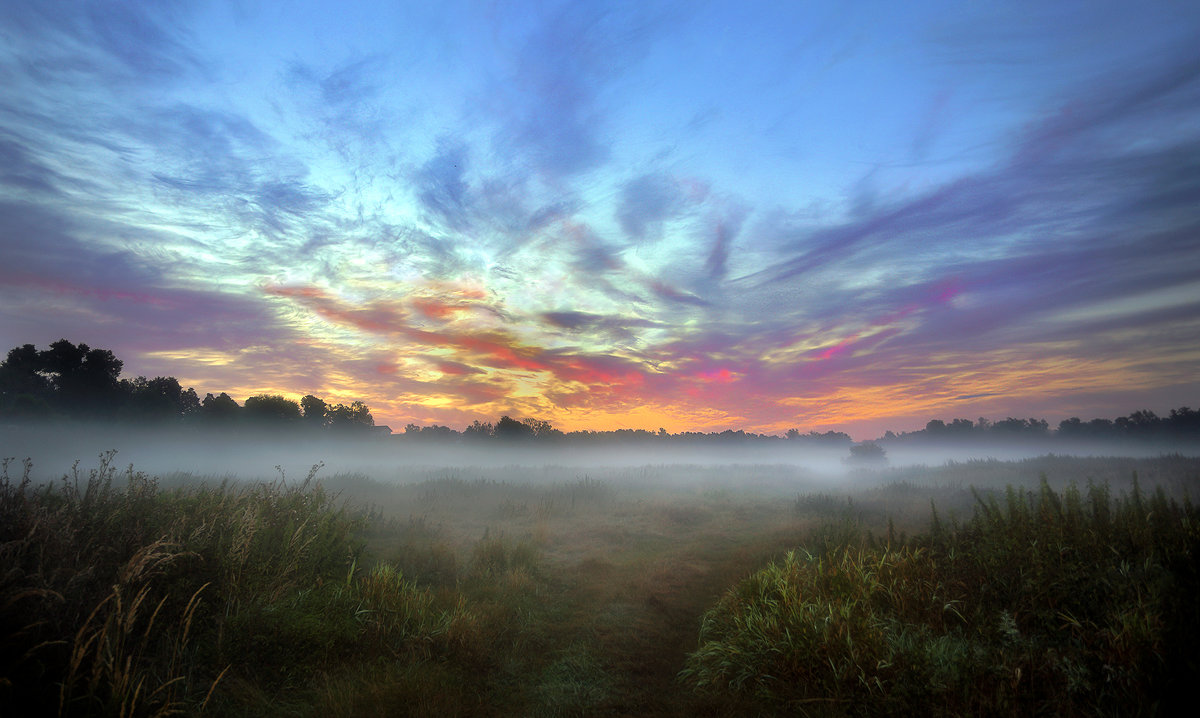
(121, 599)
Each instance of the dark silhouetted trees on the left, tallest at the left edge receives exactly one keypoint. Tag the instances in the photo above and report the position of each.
(70, 381)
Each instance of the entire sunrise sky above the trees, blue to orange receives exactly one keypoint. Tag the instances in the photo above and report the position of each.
(685, 216)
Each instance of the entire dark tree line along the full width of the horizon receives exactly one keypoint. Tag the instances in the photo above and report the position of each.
(80, 382)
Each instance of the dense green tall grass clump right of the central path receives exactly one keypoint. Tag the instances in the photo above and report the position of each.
(1042, 602)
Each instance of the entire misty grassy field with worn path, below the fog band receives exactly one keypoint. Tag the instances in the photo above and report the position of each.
(1052, 585)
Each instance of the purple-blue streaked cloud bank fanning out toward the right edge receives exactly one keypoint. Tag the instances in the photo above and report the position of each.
(1093, 218)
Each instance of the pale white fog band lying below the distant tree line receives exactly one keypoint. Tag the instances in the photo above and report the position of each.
(253, 454)
